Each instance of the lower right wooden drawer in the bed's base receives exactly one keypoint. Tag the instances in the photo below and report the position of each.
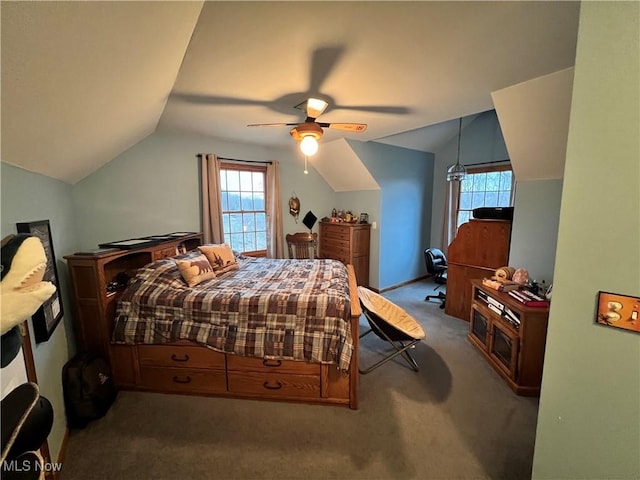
(274, 385)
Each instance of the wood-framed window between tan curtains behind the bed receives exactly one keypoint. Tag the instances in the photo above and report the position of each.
(244, 213)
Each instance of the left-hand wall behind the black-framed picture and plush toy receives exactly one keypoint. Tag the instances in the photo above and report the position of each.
(26, 197)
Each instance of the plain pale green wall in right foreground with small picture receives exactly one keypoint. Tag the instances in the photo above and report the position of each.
(589, 420)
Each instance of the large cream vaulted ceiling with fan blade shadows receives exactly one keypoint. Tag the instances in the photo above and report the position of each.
(84, 81)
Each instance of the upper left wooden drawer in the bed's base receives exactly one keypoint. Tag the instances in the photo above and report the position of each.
(180, 356)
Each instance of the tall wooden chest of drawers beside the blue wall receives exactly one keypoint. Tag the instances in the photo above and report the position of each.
(349, 243)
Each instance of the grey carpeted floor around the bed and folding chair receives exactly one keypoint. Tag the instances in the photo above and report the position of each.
(455, 419)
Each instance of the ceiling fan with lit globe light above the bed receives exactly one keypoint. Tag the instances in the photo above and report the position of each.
(309, 131)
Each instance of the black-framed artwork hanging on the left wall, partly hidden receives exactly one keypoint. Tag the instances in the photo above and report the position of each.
(48, 316)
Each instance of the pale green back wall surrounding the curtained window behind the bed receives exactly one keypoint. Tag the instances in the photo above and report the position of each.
(154, 188)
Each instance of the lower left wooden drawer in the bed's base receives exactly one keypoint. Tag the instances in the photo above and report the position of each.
(185, 380)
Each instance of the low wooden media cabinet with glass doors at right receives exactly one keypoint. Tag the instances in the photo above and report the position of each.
(510, 335)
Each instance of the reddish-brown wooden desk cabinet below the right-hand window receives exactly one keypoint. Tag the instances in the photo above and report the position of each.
(480, 247)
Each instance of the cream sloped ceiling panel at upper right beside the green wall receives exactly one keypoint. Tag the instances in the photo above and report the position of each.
(534, 117)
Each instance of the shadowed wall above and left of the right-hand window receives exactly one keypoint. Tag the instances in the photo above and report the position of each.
(481, 141)
